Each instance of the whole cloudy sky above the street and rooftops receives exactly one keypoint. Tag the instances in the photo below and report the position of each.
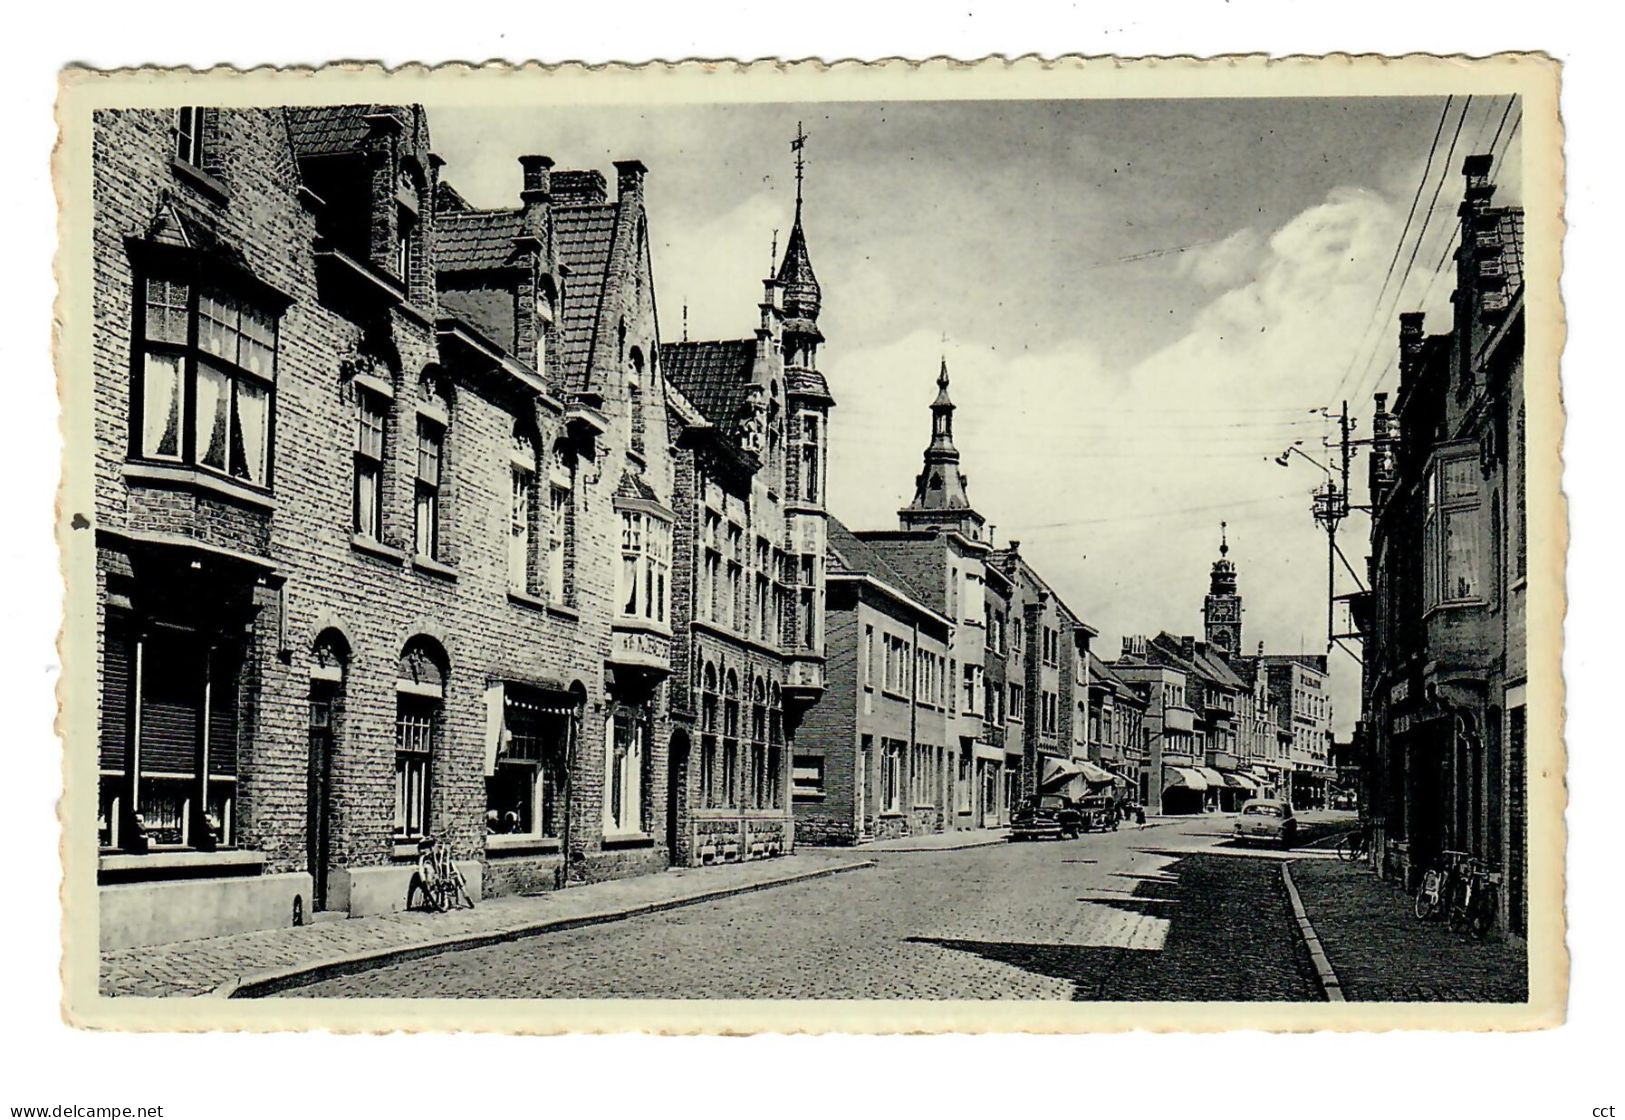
(1140, 302)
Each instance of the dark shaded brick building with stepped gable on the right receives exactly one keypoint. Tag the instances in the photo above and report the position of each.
(1445, 623)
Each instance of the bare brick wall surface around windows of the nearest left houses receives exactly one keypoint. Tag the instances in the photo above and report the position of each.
(378, 599)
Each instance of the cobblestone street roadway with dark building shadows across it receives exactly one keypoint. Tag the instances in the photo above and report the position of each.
(1158, 914)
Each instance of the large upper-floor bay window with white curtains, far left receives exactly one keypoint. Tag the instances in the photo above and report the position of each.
(207, 380)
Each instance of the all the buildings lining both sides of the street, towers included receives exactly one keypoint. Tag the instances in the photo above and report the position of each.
(410, 523)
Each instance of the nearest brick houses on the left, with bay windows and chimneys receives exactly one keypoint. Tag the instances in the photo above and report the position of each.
(365, 459)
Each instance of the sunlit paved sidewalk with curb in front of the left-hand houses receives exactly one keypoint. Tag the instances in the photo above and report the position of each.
(275, 958)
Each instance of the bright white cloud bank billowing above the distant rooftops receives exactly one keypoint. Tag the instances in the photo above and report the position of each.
(1117, 480)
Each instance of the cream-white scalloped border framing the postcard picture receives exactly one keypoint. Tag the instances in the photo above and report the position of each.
(942, 79)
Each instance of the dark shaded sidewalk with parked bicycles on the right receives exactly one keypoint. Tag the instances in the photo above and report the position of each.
(1382, 953)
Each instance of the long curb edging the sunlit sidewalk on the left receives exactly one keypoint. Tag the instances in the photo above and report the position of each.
(298, 976)
